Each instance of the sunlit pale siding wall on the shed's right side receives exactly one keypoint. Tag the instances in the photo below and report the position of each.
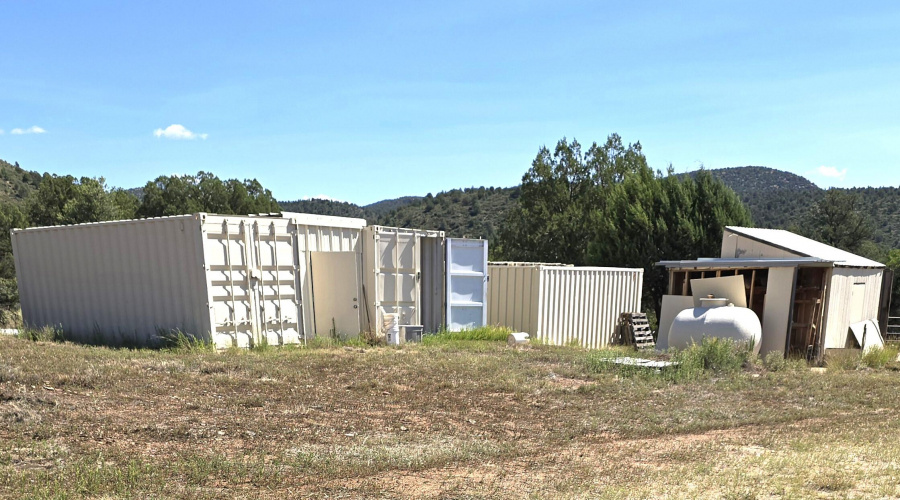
(837, 322)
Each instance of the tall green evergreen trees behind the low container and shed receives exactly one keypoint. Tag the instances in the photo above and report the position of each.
(607, 207)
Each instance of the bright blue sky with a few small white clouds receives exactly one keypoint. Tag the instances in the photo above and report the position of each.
(362, 101)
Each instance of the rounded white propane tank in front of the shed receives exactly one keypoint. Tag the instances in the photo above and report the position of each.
(715, 320)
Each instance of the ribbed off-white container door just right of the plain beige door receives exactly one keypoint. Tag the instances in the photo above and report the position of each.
(397, 276)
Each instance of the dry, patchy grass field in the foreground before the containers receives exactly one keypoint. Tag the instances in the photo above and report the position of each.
(449, 419)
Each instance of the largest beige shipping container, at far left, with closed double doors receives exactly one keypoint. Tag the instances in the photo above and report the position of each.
(236, 280)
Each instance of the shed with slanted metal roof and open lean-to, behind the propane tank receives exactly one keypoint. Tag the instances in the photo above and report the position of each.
(806, 293)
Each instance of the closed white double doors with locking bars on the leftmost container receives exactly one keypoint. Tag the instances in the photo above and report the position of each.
(252, 276)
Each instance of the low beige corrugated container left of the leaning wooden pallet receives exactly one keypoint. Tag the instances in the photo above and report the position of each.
(562, 304)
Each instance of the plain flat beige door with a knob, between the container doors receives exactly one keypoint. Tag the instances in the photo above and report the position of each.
(335, 289)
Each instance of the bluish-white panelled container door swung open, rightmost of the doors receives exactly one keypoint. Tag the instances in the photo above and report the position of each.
(466, 283)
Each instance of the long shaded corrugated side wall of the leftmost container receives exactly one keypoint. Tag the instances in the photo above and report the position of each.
(114, 282)
